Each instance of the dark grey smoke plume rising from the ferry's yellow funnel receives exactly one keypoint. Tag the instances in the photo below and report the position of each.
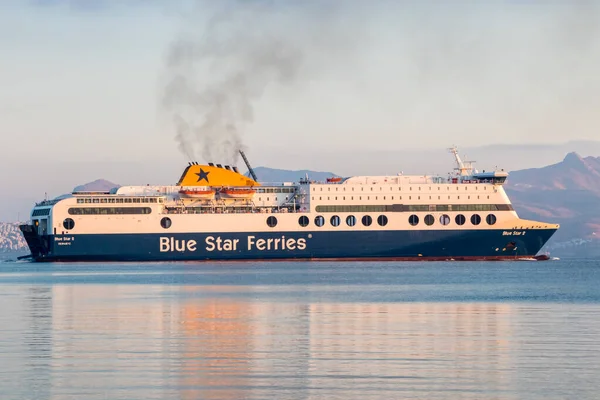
(216, 74)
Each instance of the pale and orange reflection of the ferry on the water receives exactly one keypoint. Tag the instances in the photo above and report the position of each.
(225, 343)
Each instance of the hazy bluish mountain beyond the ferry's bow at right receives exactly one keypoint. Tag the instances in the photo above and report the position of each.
(567, 193)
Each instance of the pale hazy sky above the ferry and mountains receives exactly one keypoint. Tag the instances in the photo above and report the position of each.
(132, 90)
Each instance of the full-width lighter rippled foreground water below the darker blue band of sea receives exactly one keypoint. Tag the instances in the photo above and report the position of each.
(233, 342)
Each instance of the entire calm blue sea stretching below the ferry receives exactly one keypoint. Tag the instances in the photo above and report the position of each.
(299, 330)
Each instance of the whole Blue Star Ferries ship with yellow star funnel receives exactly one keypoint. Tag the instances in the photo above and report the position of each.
(215, 212)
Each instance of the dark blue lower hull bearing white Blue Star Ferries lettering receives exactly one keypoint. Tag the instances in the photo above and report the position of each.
(422, 244)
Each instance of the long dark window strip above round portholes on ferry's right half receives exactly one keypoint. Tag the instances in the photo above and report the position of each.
(415, 208)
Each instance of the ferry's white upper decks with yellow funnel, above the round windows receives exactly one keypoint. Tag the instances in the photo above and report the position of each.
(223, 189)
